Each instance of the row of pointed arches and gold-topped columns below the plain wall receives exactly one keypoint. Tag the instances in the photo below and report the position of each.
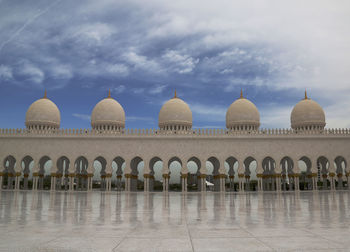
(209, 173)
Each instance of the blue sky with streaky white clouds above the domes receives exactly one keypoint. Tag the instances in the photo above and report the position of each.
(143, 50)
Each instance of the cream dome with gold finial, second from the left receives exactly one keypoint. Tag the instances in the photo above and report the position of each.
(108, 114)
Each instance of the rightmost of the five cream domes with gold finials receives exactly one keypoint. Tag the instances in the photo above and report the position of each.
(307, 114)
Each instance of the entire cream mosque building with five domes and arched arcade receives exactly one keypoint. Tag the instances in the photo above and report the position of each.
(241, 157)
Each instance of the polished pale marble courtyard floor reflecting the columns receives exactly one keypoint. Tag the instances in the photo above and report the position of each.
(99, 221)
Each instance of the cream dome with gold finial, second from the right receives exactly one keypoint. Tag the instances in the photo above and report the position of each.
(242, 114)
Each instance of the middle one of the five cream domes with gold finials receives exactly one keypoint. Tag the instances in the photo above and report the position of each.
(175, 113)
